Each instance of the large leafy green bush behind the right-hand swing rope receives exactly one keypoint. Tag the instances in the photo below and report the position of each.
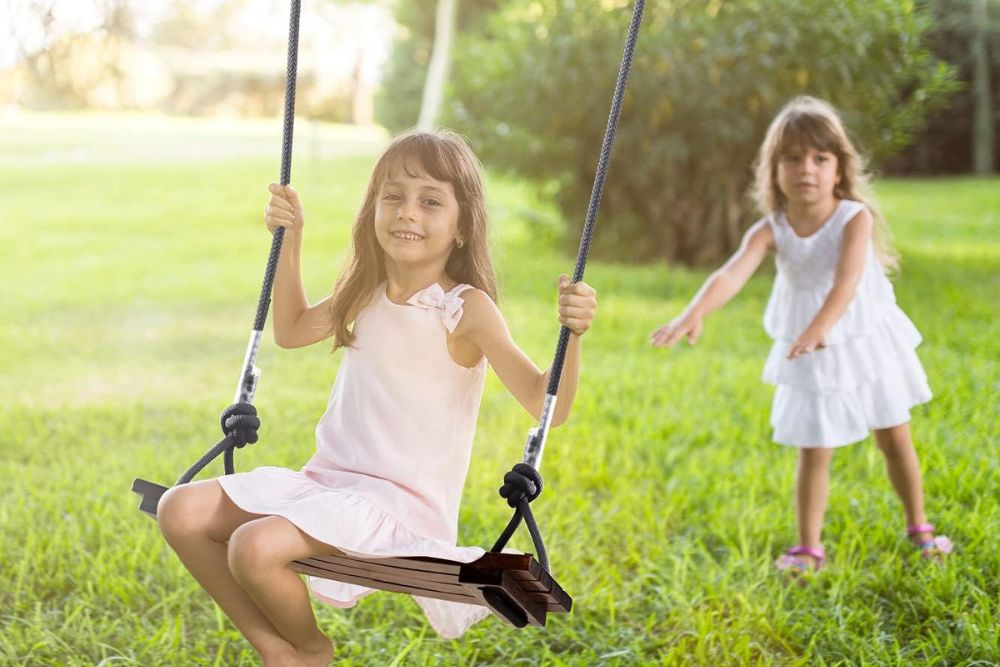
(533, 92)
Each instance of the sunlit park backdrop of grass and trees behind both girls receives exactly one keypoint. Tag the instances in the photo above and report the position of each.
(136, 141)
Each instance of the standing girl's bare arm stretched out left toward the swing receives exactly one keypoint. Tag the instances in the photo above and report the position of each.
(719, 288)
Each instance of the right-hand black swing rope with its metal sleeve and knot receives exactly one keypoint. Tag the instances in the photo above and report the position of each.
(523, 483)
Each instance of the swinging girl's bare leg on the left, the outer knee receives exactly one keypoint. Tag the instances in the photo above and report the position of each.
(197, 520)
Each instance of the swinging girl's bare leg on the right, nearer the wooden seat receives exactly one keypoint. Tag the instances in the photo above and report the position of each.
(260, 555)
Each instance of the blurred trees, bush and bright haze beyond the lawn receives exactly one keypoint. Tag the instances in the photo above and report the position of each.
(526, 81)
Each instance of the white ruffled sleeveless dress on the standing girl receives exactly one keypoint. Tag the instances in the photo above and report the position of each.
(868, 376)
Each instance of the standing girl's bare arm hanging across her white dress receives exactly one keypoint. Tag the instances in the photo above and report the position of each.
(850, 268)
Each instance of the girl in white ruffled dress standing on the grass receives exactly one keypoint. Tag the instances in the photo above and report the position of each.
(843, 358)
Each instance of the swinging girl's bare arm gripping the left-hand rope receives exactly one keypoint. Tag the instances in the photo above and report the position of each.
(295, 322)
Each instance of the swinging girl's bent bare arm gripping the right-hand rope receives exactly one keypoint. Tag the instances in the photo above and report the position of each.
(483, 326)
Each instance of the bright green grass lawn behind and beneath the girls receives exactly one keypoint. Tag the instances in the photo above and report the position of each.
(129, 290)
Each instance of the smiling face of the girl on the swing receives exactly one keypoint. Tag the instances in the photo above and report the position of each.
(416, 218)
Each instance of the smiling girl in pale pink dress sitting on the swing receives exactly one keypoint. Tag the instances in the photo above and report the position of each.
(414, 309)
